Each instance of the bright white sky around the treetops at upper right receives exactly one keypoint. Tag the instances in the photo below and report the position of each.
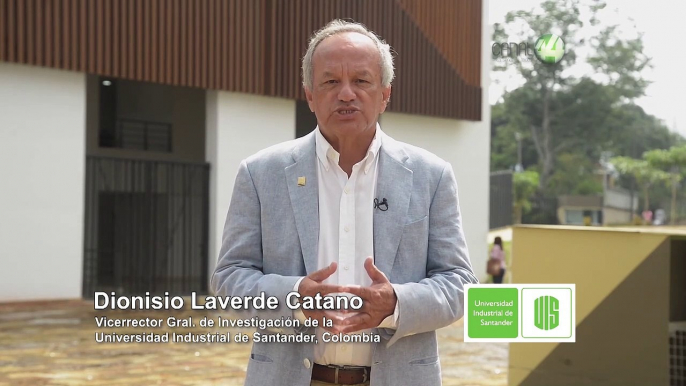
(663, 26)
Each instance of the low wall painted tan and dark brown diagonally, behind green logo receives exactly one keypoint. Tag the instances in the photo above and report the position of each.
(622, 305)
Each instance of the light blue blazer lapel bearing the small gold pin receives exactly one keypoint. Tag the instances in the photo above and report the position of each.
(301, 178)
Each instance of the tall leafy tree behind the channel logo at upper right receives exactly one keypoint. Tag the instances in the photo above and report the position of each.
(561, 112)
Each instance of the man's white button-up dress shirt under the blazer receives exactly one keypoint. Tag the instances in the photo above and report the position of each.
(346, 236)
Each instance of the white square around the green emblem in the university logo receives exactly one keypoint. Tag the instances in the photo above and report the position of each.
(529, 329)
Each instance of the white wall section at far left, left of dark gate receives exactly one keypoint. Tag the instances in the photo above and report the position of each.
(42, 157)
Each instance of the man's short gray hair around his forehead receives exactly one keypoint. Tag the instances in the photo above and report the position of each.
(340, 26)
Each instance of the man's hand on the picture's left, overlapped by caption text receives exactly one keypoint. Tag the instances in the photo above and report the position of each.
(312, 285)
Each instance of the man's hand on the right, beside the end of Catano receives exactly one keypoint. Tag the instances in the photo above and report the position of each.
(379, 301)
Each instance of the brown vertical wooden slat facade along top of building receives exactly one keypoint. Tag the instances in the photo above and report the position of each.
(252, 46)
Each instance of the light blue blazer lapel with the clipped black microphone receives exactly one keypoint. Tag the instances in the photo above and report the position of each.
(394, 182)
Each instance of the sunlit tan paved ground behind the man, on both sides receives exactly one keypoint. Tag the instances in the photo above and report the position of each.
(53, 343)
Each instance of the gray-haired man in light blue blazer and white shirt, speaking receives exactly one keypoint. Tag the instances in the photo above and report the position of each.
(348, 209)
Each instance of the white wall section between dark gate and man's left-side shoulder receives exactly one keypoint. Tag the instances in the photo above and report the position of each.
(239, 125)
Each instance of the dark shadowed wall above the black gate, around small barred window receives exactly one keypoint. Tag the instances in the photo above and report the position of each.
(183, 107)
